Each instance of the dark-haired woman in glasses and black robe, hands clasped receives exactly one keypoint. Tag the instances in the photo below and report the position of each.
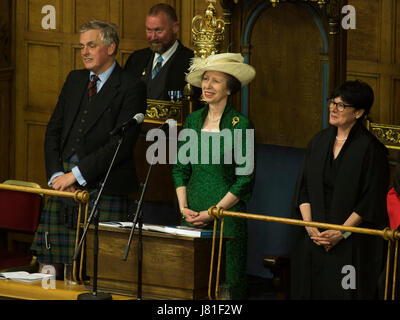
(344, 180)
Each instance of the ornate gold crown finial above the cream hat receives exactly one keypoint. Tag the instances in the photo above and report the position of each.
(208, 32)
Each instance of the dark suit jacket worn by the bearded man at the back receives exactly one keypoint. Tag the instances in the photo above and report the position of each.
(139, 65)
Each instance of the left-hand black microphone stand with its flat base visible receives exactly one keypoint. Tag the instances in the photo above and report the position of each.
(94, 295)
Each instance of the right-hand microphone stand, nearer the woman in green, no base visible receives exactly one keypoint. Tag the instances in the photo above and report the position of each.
(139, 217)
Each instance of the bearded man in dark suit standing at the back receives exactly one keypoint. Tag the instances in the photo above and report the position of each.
(164, 64)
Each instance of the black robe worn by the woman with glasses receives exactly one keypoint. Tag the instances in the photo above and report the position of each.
(356, 181)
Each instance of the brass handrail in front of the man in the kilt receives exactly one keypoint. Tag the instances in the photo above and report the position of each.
(80, 196)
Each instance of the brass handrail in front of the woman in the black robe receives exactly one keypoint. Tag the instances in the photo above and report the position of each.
(386, 234)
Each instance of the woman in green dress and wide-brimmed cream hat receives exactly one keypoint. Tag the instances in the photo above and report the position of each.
(215, 162)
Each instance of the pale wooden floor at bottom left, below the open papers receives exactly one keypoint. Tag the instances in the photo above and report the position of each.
(57, 290)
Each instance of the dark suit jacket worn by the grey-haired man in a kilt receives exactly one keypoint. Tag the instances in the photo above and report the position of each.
(120, 98)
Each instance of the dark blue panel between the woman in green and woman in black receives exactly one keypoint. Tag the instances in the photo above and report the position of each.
(276, 174)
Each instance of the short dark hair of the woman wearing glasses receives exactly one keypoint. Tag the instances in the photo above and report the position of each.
(356, 93)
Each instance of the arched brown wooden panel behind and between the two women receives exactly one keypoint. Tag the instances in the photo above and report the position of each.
(286, 104)
